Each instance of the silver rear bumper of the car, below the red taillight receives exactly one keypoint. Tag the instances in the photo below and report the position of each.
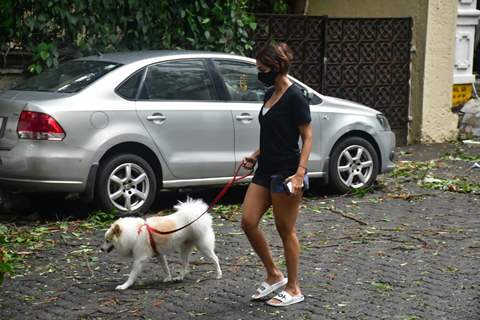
(44, 166)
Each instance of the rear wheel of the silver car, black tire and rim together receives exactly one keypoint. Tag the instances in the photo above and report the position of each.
(126, 183)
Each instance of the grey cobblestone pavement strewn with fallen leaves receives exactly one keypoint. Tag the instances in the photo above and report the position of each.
(406, 250)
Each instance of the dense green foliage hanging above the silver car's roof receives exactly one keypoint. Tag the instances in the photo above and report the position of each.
(54, 30)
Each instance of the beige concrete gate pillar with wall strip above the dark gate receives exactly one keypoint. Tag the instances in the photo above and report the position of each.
(431, 119)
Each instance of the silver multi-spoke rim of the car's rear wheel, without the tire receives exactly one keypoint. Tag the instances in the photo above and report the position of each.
(128, 187)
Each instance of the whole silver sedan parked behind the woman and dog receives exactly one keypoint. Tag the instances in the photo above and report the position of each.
(120, 127)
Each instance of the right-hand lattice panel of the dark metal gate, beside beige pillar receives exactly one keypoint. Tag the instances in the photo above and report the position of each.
(368, 61)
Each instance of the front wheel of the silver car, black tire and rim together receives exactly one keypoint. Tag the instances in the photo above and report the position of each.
(349, 169)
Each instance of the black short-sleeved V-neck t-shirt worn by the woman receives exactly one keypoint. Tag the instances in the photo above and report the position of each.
(279, 134)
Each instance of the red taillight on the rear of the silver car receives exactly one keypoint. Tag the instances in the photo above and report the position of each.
(39, 126)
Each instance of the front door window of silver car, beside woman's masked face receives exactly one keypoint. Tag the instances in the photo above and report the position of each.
(241, 80)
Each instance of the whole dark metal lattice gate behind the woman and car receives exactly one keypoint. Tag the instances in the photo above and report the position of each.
(361, 59)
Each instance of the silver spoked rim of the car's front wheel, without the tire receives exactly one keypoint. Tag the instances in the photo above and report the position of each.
(355, 166)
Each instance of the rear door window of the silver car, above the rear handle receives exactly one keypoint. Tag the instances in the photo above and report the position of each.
(178, 80)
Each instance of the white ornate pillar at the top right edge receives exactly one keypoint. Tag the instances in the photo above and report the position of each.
(467, 19)
